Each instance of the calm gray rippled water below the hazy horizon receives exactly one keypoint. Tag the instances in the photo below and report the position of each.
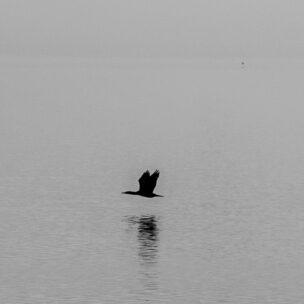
(228, 143)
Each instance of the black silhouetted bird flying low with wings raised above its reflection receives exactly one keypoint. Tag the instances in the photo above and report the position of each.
(147, 183)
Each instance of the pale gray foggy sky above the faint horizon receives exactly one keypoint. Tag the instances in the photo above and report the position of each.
(152, 28)
